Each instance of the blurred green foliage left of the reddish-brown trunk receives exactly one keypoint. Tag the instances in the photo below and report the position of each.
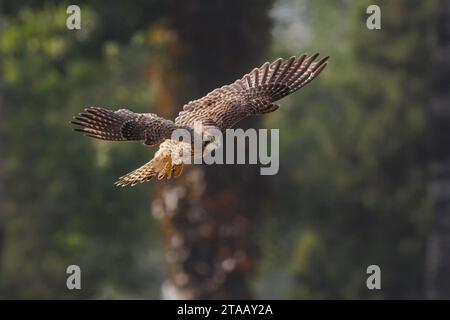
(61, 206)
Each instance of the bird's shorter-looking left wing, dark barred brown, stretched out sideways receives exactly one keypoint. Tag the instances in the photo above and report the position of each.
(123, 125)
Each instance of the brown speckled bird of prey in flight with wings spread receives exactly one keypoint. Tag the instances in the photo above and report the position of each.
(253, 94)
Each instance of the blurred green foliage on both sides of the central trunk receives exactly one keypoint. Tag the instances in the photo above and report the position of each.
(351, 191)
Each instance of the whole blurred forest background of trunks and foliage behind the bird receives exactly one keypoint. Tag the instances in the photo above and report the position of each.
(364, 170)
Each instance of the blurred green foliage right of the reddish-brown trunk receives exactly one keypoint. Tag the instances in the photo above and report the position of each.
(354, 157)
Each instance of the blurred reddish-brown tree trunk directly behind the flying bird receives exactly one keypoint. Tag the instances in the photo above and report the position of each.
(209, 214)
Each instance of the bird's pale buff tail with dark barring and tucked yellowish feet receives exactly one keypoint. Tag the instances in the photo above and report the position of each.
(160, 166)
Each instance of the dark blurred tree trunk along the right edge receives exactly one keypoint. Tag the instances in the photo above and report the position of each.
(438, 260)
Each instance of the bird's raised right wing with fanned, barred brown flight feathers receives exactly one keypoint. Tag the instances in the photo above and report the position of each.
(254, 93)
